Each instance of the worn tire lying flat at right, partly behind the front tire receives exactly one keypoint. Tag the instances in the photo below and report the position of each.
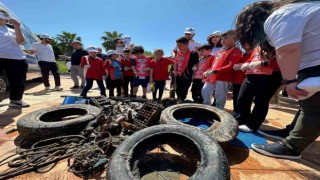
(224, 130)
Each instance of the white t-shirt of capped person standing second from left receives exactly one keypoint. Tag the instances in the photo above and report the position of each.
(44, 52)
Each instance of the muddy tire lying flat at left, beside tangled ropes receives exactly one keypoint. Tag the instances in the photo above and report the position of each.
(49, 122)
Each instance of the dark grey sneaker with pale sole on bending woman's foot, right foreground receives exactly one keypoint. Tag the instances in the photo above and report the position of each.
(277, 150)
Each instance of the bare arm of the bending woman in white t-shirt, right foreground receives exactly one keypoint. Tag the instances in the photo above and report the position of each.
(288, 58)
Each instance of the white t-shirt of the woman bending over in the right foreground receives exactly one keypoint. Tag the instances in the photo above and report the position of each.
(293, 23)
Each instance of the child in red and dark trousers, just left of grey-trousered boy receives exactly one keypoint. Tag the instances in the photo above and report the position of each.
(198, 78)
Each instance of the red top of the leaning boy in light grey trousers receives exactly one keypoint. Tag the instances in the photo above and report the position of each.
(223, 62)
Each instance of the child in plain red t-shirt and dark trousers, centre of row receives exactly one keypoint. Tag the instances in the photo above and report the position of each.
(159, 72)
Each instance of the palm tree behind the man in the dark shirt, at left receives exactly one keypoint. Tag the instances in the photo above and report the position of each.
(64, 41)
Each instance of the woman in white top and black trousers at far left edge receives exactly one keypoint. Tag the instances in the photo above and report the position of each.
(12, 59)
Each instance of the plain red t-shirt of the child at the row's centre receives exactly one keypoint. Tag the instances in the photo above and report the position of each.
(160, 69)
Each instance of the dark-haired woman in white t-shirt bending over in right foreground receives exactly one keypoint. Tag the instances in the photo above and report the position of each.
(292, 28)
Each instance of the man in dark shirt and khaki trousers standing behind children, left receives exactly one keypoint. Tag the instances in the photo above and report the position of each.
(75, 69)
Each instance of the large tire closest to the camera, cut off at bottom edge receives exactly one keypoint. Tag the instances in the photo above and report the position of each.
(213, 162)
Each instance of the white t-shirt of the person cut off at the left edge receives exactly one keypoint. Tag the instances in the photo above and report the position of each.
(9, 48)
